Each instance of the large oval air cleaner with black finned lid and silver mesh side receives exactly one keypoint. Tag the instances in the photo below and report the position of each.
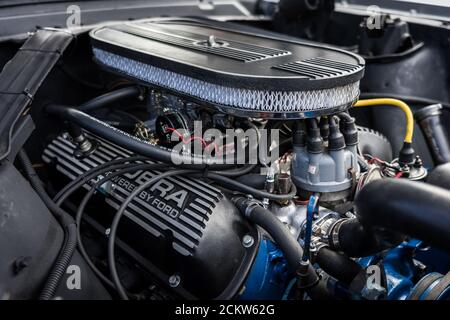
(237, 72)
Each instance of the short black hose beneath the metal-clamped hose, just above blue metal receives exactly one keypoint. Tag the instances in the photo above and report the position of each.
(337, 265)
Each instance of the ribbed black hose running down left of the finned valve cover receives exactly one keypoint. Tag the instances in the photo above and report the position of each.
(66, 221)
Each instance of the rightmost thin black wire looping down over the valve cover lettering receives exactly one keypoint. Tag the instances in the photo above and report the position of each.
(114, 225)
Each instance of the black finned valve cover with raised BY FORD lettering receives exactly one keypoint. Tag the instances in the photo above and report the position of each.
(181, 226)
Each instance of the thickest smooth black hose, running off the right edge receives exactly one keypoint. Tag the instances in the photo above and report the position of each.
(413, 208)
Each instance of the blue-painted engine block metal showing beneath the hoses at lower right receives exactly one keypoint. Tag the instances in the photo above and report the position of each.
(411, 268)
